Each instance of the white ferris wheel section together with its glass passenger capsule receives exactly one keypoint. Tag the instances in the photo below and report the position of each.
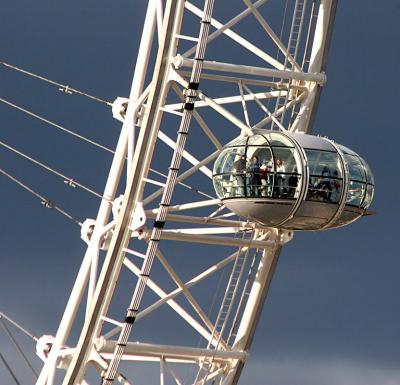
(221, 170)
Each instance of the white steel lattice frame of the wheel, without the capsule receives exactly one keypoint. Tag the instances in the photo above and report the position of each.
(220, 361)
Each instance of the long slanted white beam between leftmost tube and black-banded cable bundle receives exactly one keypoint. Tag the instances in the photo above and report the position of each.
(141, 163)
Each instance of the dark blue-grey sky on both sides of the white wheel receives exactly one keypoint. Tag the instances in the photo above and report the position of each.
(332, 316)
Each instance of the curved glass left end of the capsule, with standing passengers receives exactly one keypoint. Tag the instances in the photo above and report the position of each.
(257, 170)
